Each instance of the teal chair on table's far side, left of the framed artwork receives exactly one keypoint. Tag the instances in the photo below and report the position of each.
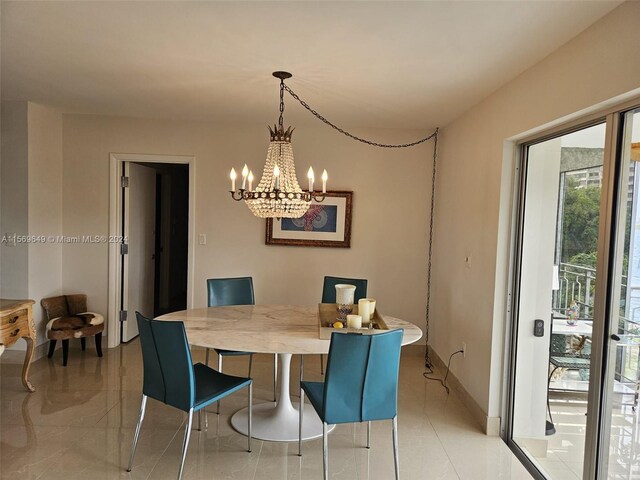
(234, 291)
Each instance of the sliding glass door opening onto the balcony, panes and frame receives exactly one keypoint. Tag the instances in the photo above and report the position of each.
(575, 342)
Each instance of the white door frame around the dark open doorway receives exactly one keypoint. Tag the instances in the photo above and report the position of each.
(116, 161)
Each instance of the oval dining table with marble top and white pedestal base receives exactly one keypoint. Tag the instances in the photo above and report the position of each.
(281, 329)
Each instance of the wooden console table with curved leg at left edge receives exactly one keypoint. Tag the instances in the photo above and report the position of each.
(16, 321)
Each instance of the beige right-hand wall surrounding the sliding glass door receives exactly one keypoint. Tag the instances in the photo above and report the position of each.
(473, 194)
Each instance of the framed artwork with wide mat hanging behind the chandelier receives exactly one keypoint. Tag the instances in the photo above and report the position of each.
(326, 224)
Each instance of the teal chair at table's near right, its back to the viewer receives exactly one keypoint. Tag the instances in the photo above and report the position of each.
(361, 385)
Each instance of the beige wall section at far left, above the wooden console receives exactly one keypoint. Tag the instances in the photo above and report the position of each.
(31, 204)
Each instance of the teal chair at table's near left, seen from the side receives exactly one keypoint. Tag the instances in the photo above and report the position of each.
(171, 378)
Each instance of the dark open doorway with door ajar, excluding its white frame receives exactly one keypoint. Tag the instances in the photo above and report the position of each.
(155, 223)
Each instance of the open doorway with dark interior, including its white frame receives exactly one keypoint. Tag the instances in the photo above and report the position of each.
(152, 271)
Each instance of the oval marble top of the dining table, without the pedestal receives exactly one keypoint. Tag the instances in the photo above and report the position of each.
(265, 328)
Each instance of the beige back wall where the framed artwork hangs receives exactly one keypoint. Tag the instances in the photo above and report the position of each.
(389, 233)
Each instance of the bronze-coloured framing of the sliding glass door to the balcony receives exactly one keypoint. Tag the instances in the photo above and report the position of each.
(600, 396)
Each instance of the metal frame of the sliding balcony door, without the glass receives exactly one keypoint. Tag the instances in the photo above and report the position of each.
(598, 397)
